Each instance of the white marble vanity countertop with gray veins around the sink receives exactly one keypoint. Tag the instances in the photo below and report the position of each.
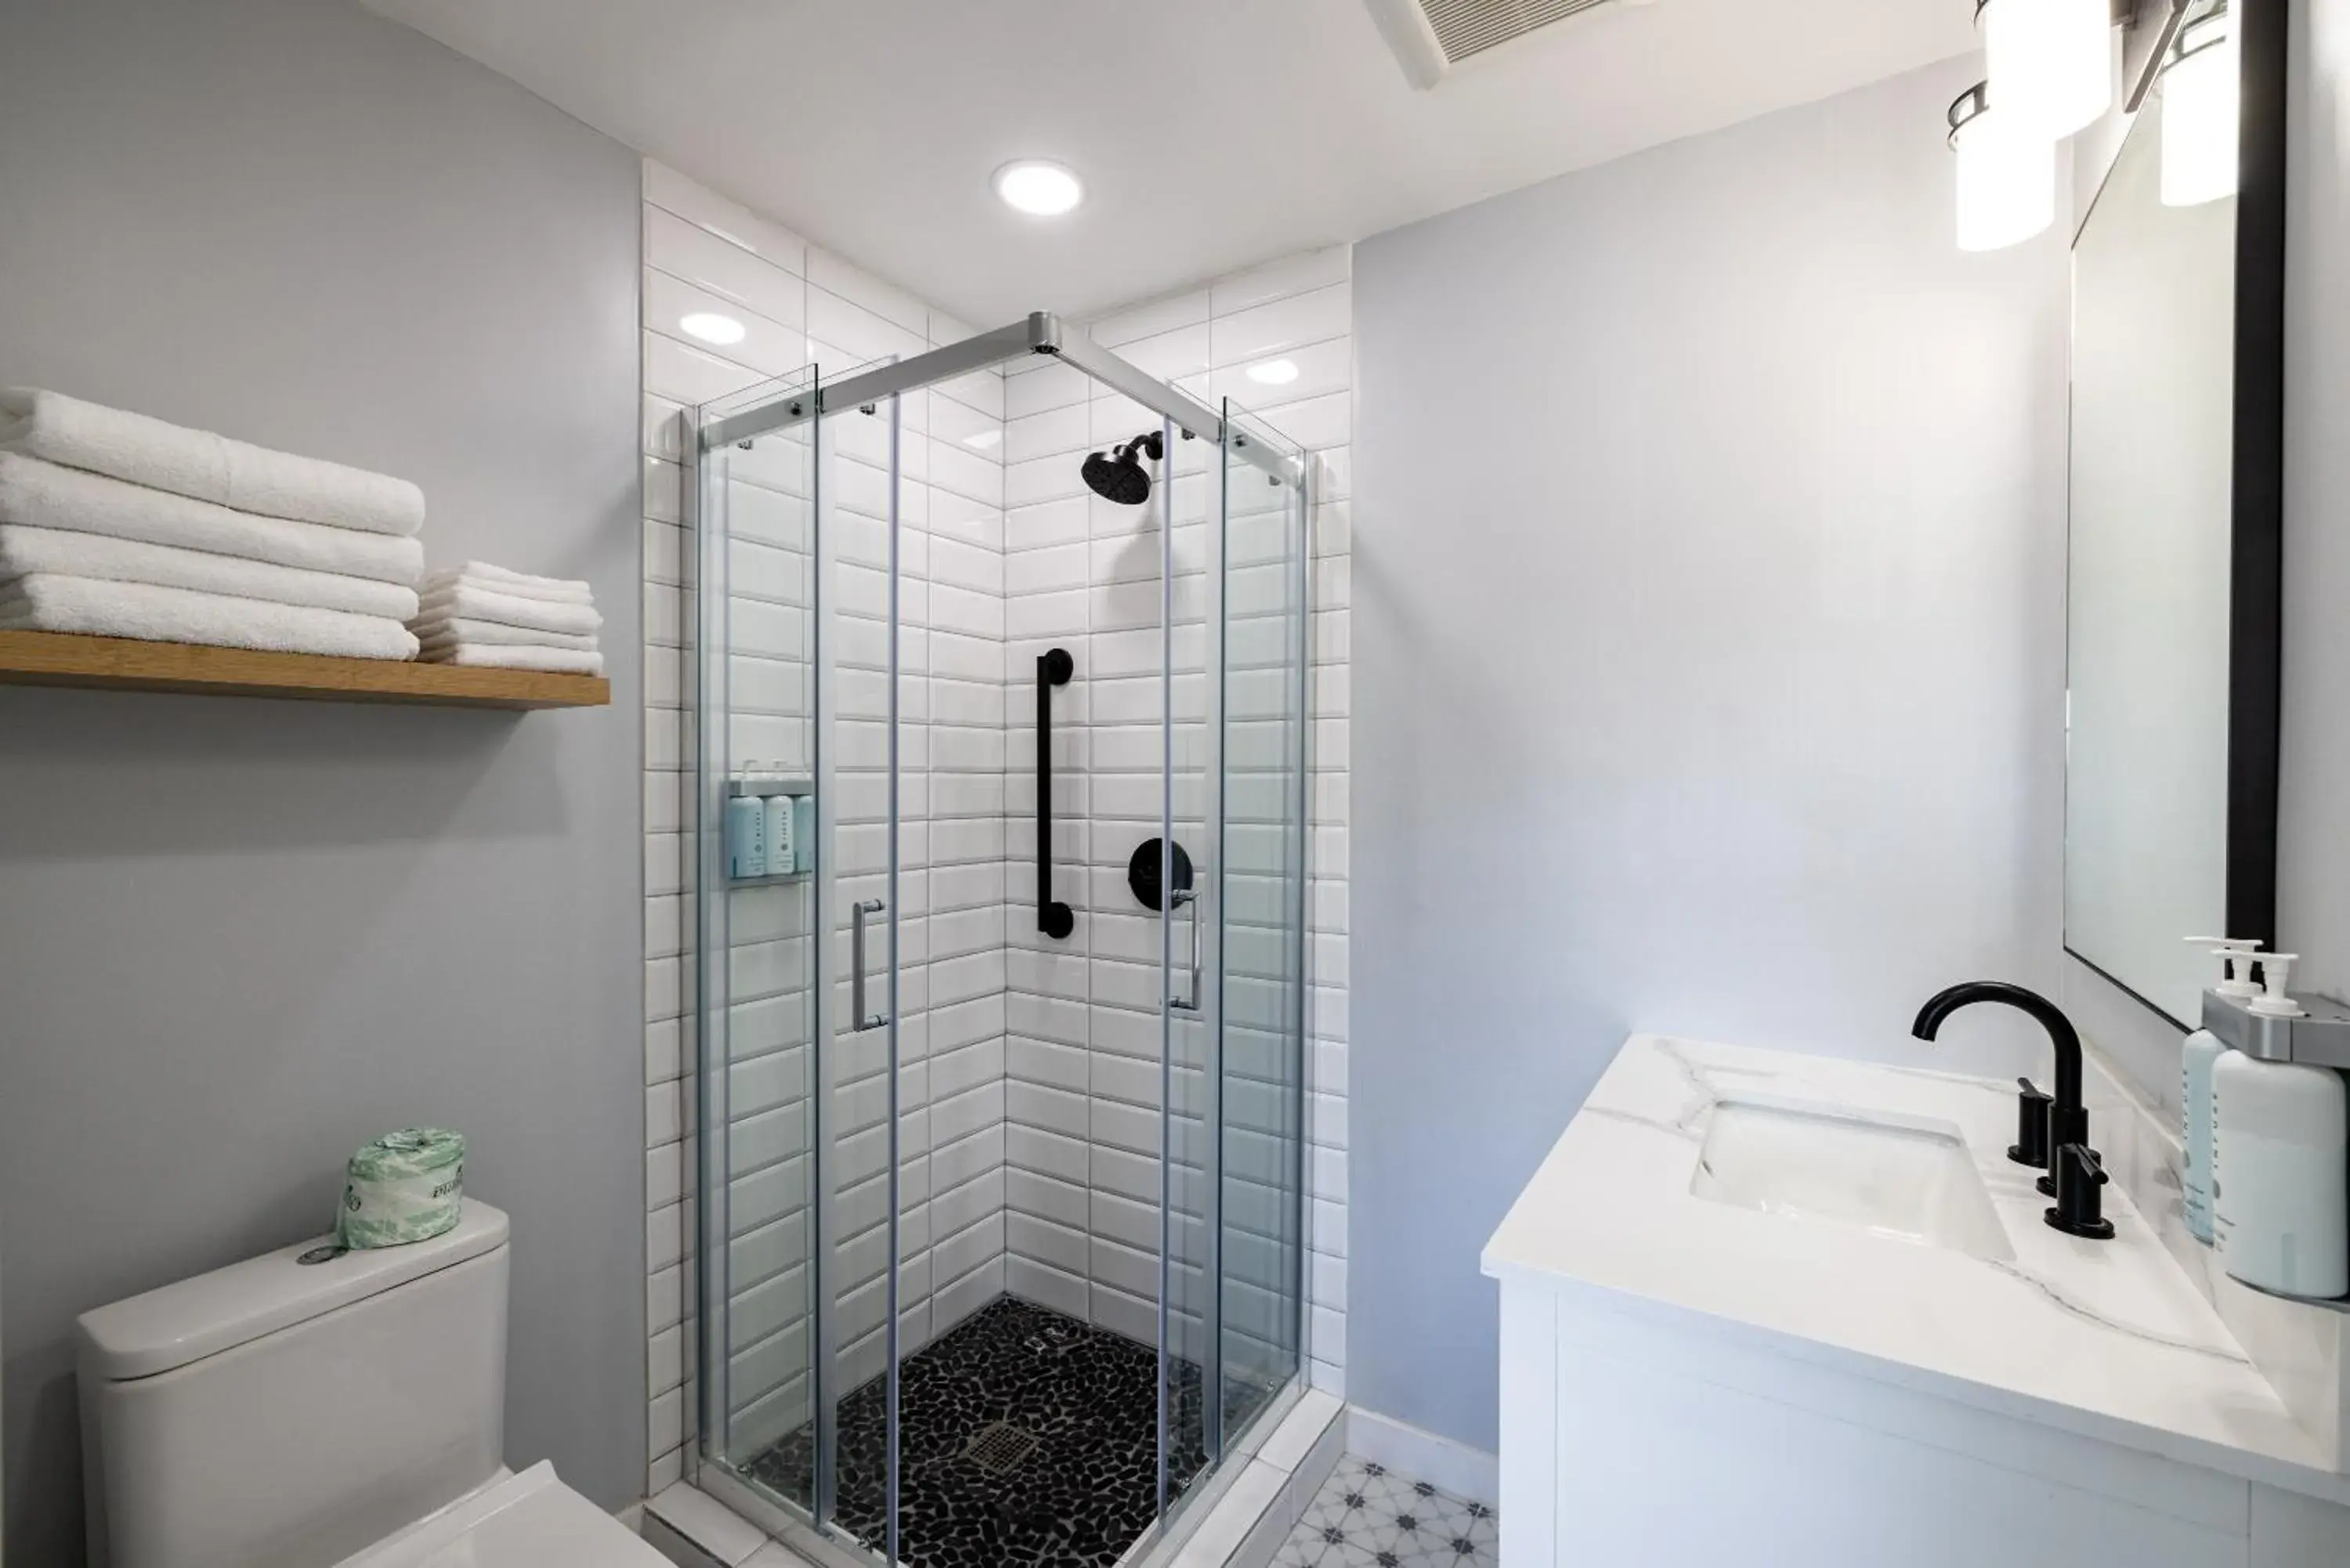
(2107, 1339)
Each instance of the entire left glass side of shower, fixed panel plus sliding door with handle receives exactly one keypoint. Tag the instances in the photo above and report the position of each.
(798, 953)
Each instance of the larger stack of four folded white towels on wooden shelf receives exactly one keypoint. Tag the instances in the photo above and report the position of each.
(121, 525)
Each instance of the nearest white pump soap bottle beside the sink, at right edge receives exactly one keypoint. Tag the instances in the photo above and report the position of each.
(2281, 1177)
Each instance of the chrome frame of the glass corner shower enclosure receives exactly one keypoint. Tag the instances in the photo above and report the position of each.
(723, 429)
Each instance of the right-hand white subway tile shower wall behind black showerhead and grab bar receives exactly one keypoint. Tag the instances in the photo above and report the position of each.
(1080, 572)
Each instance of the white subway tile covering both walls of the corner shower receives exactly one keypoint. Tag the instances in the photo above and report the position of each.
(1028, 1085)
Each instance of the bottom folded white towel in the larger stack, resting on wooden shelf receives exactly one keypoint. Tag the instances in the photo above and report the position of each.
(46, 603)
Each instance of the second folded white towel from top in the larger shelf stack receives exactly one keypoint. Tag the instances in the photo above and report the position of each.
(51, 497)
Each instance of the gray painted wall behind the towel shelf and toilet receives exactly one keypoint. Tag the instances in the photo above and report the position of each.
(236, 937)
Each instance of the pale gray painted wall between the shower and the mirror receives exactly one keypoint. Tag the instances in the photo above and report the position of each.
(1710, 659)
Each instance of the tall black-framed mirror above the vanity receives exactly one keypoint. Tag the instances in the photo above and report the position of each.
(2177, 453)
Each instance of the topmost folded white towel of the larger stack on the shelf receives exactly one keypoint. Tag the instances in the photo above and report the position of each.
(203, 464)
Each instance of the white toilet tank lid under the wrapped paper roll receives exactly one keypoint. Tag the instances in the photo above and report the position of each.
(213, 1313)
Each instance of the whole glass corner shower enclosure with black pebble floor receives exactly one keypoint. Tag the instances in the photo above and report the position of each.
(1000, 953)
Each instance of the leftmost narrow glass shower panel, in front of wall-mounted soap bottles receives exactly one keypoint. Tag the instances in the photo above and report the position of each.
(756, 664)
